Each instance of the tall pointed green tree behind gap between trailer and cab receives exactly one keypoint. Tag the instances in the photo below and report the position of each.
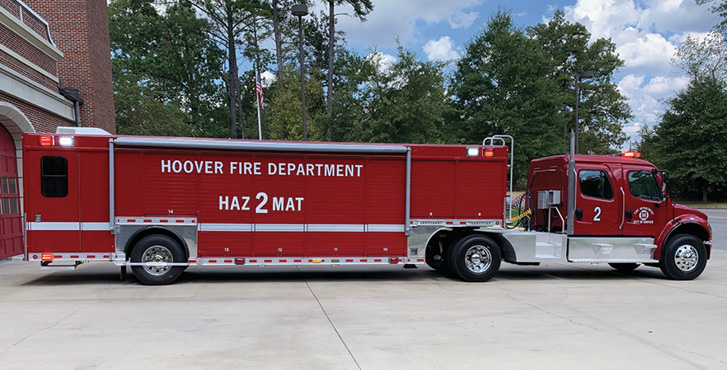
(503, 85)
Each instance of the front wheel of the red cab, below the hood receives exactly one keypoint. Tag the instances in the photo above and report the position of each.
(684, 257)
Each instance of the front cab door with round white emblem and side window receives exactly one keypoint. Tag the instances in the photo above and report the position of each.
(644, 209)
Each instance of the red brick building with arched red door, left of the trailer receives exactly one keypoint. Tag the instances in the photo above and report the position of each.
(45, 46)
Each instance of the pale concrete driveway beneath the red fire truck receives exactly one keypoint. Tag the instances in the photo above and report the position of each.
(558, 316)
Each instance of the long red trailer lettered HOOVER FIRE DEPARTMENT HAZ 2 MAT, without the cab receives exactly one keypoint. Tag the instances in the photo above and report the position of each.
(161, 204)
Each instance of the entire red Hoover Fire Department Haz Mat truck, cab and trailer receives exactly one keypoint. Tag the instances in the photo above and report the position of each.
(160, 205)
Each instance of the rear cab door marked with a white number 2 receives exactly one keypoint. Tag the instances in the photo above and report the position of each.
(598, 204)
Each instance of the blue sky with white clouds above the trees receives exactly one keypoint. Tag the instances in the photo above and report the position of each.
(646, 34)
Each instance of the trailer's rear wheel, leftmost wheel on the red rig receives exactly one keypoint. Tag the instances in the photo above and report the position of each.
(157, 248)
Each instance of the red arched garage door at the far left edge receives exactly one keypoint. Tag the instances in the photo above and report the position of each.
(11, 233)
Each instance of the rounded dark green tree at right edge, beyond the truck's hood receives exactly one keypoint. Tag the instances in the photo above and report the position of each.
(696, 115)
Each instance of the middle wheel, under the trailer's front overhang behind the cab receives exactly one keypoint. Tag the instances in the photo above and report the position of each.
(474, 258)
